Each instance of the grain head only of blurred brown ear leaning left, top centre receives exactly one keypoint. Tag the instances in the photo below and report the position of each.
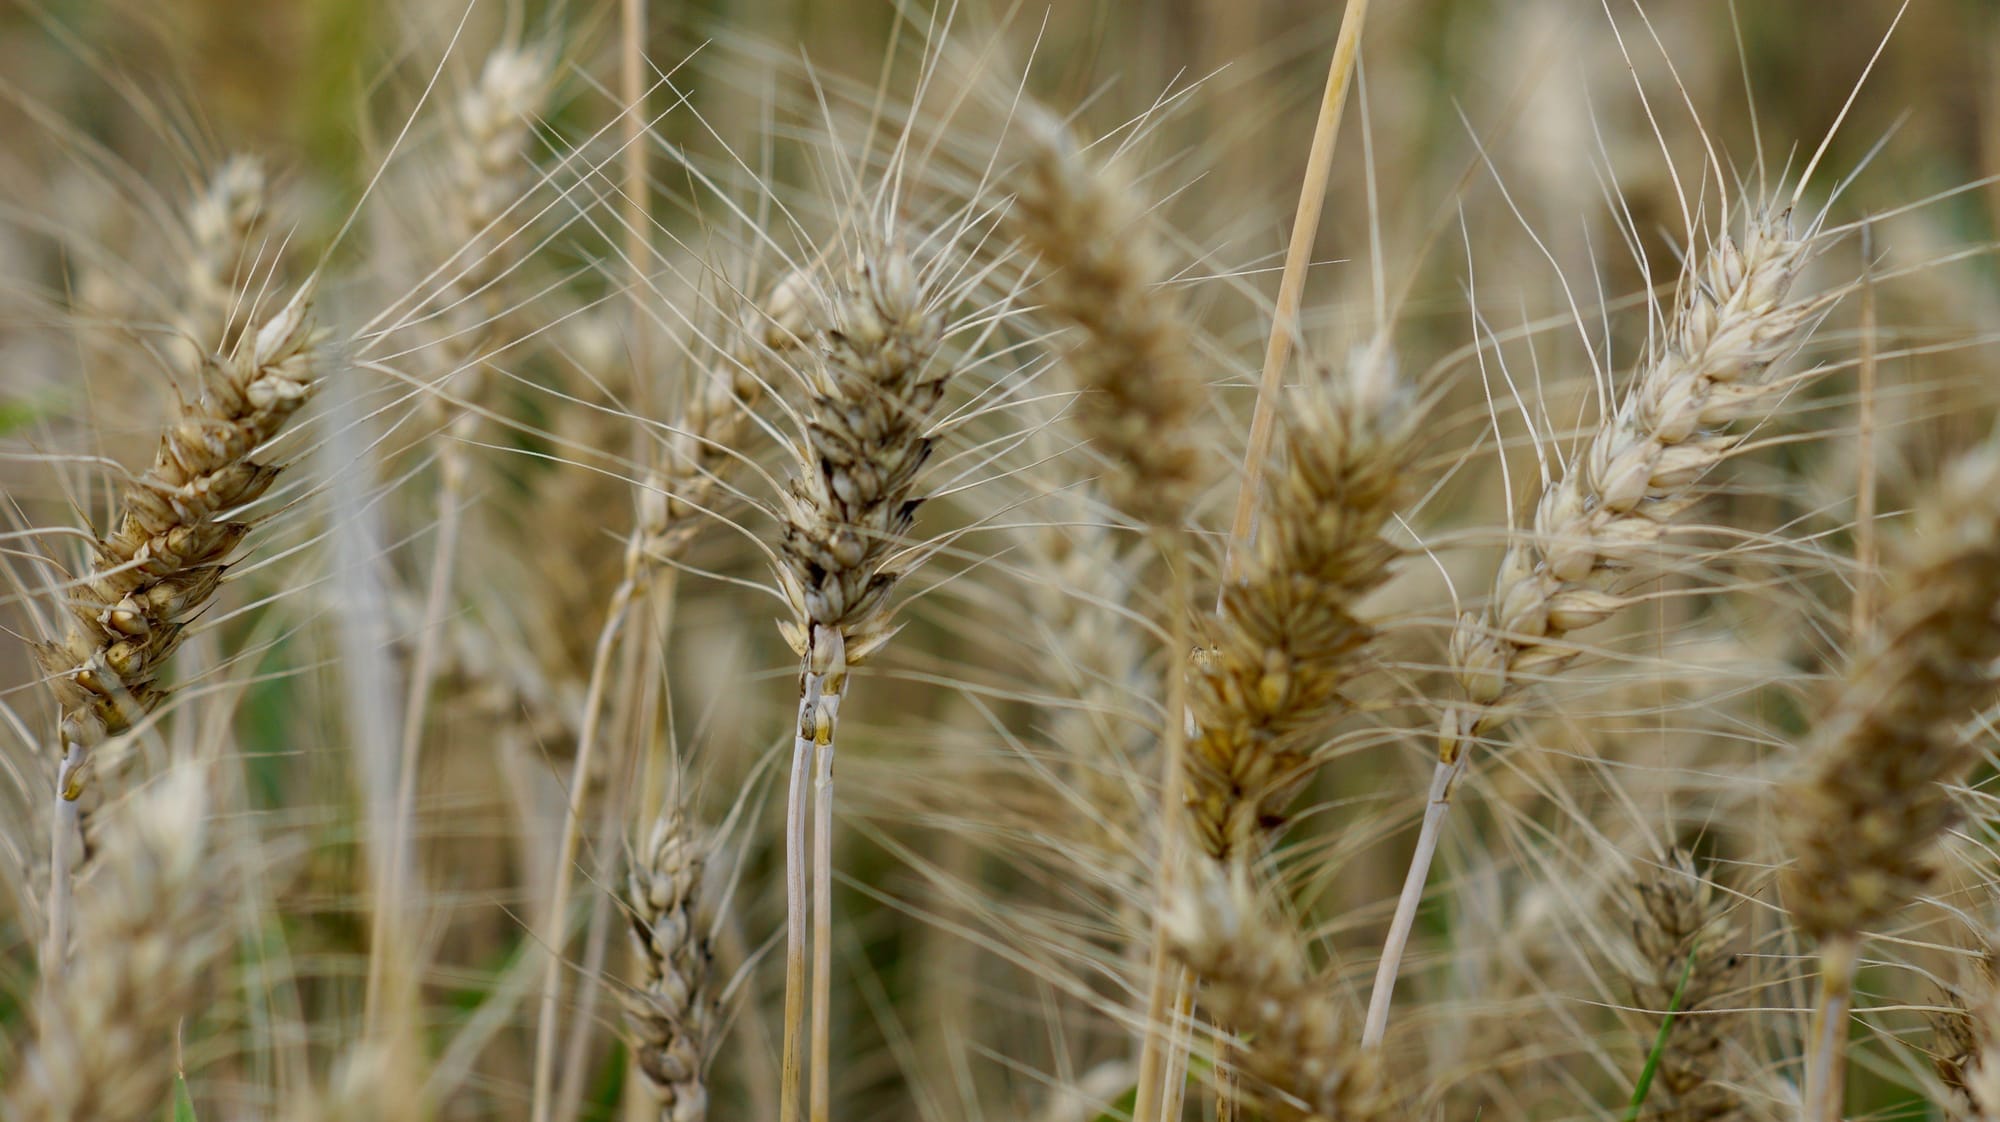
(1103, 277)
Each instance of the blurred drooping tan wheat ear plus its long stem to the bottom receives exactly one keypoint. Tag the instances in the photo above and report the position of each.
(1139, 405)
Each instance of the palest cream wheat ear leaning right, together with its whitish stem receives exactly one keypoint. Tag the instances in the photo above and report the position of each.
(1593, 525)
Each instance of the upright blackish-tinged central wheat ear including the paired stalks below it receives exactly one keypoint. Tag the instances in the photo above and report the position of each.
(875, 395)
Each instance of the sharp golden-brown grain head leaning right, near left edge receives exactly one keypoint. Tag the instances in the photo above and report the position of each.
(175, 535)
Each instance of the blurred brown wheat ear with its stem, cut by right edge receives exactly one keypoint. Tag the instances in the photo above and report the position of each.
(1865, 819)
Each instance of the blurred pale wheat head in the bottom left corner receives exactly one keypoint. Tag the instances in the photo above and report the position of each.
(151, 937)
